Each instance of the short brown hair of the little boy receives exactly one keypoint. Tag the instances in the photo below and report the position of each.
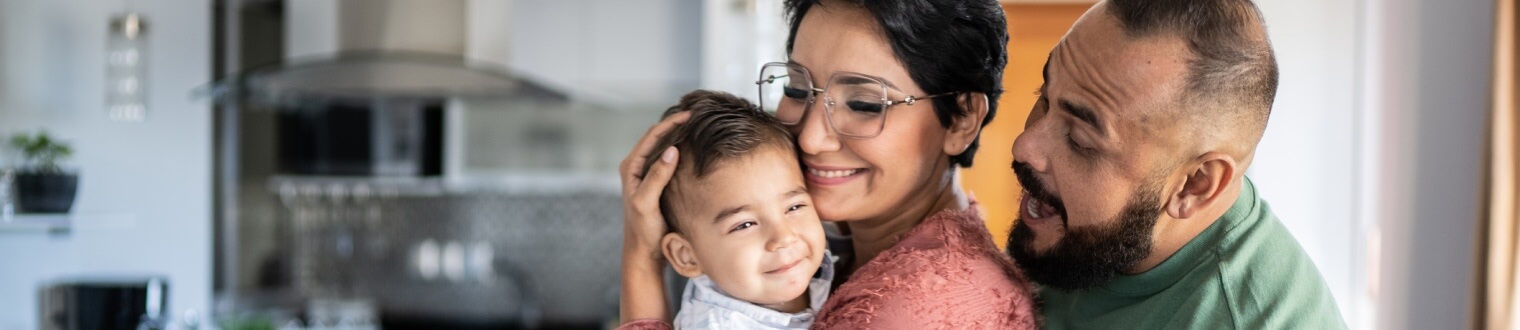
(723, 127)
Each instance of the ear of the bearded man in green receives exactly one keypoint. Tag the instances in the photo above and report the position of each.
(1205, 186)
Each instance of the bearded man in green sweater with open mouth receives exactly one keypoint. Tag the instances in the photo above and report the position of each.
(1136, 212)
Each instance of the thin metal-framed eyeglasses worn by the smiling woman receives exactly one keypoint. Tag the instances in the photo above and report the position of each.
(829, 110)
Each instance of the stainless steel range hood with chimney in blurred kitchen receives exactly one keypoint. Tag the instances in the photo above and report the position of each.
(385, 49)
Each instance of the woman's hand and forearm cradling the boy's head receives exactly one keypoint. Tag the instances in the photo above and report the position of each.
(644, 226)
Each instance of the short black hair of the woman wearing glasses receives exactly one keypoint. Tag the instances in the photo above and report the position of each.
(946, 46)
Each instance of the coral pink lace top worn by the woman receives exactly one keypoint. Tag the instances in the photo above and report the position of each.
(945, 274)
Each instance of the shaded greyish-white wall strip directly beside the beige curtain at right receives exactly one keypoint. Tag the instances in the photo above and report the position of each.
(1428, 81)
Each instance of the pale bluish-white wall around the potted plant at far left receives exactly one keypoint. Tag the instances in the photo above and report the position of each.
(157, 173)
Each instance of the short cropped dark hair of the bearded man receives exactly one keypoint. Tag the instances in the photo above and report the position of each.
(1233, 71)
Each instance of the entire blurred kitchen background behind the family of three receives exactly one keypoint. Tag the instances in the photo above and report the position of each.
(452, 163)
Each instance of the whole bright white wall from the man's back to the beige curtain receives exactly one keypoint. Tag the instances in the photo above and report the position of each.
(1372, 157)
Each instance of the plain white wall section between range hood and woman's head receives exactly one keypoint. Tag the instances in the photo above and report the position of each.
(610, 51)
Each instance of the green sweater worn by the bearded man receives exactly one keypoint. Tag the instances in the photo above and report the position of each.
(1246, 271)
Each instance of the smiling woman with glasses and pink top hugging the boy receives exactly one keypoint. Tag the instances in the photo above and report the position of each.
(887, 100)
